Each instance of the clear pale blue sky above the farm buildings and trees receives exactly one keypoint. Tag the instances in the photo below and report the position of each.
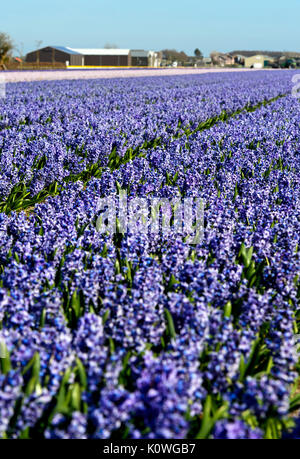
(221, 25)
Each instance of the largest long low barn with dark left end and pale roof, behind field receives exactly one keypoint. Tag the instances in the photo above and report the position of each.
(81, 57)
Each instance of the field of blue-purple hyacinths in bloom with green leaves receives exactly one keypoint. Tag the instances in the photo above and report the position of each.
(135, 335)
